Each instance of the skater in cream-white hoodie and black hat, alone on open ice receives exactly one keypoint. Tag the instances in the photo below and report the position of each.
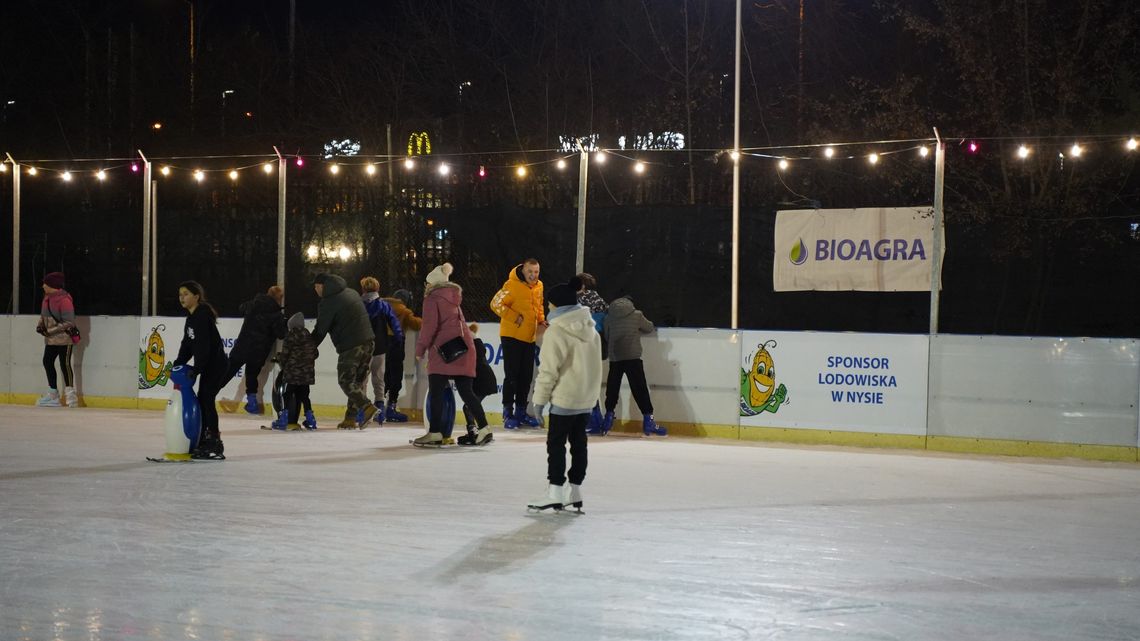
(569, 379)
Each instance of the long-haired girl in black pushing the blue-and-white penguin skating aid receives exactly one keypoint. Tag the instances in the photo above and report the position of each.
(202, 343)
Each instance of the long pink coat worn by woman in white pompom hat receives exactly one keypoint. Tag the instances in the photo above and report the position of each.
(443, 322)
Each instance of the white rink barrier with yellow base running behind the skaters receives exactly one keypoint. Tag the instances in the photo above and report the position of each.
(995, 395)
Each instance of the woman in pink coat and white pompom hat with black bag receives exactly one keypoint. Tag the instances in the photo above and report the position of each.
(443, 321)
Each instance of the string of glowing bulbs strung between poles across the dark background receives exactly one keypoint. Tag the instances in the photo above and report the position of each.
(873, 152)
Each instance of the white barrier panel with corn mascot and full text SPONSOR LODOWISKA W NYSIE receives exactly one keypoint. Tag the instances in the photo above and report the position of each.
(830, 382)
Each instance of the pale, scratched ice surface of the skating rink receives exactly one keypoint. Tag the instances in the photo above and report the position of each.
(357, 535)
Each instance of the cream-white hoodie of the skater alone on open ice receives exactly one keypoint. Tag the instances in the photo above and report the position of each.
(571, 364)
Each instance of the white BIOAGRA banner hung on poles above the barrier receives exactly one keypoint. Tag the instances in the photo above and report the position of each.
(875, 250)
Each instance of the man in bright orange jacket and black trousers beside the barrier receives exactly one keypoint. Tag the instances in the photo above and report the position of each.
(519, 305)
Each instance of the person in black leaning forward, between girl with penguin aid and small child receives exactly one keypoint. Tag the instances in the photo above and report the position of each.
(264, 323)
